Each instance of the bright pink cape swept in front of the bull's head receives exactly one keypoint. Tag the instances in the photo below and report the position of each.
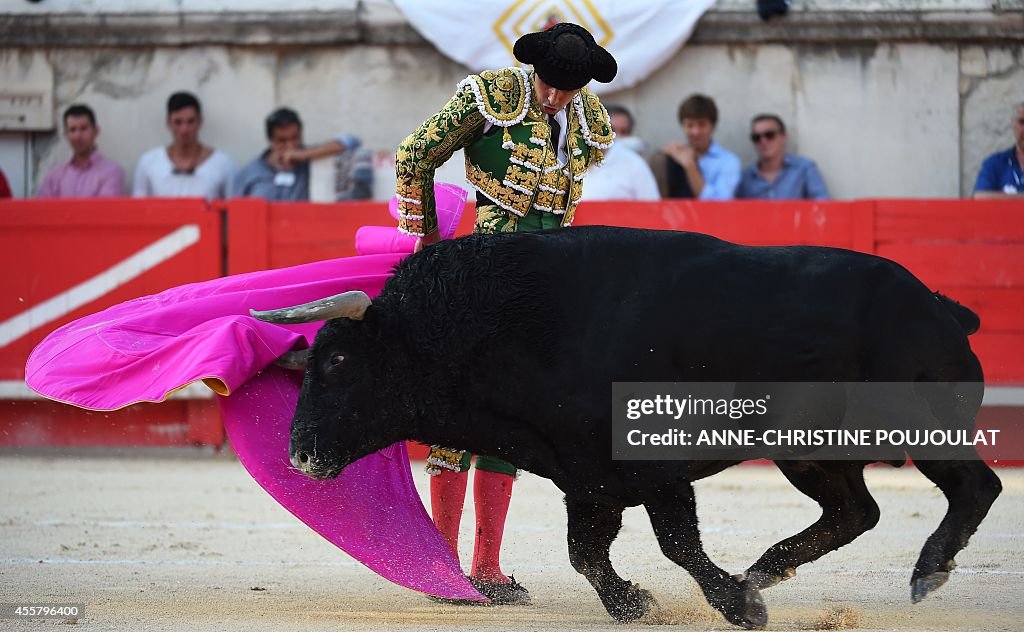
(144, 350)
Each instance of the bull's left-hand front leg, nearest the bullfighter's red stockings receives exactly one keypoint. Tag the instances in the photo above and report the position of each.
(592, 529)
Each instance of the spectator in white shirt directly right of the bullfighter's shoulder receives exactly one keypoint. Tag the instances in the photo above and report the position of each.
(624, 175)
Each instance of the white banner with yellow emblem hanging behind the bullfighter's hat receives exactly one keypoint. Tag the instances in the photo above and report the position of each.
(641, 34)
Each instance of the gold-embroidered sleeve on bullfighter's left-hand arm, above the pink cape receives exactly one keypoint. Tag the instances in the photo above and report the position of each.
(457, 125)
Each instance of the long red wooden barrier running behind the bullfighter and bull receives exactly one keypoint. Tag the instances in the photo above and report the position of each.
(970, 250)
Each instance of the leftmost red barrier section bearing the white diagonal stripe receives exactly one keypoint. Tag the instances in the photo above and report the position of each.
(69, 259)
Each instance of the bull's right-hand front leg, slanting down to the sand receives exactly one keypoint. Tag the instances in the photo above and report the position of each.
(673, 514)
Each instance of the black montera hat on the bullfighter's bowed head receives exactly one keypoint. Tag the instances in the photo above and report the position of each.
(566, 57)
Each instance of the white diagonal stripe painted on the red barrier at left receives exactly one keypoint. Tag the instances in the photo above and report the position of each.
(118, 275)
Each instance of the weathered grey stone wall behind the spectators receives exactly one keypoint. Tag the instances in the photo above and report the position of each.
(899, 99)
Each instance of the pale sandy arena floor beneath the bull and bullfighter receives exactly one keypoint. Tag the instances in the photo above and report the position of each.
(188, 542)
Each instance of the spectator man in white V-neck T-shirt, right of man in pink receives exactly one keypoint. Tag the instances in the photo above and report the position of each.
(187, 167)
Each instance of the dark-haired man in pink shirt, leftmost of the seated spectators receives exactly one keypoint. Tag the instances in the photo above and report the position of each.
(89, 174)
